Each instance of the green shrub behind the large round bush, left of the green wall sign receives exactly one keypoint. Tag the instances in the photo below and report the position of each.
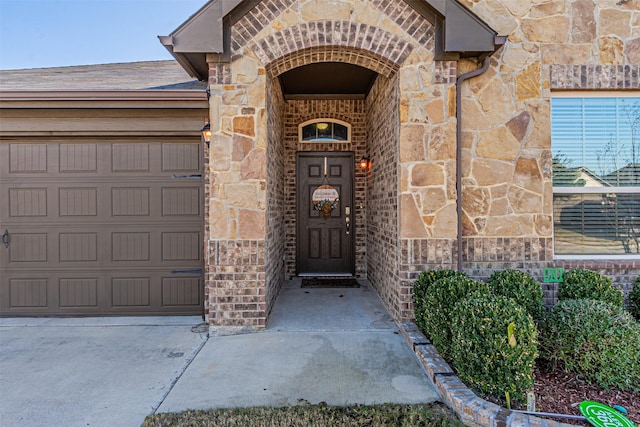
(520, 286)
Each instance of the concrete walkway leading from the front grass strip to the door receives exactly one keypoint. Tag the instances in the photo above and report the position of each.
(337, 346)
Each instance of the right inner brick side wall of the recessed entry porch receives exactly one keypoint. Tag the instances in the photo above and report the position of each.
(382, 191)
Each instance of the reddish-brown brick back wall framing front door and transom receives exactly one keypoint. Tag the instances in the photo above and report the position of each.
(299, 111)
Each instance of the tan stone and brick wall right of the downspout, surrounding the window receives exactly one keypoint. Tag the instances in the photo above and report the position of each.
(552, 46)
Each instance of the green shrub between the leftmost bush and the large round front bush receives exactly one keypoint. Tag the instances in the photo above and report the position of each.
(439, 300)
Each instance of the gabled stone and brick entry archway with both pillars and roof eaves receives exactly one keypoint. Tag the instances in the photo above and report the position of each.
(245, 46)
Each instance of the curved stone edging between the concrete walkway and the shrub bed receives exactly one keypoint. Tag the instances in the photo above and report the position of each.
(471, 409)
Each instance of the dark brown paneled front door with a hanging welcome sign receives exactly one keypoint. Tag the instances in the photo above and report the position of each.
(325, 225)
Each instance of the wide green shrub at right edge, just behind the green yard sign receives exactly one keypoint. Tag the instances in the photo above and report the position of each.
(596, 339)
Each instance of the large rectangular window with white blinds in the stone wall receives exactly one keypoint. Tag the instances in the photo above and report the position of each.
(596, 176)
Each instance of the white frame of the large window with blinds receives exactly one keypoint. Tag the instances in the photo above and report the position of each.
(587, 190)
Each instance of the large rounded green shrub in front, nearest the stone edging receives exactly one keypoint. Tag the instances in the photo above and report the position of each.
(482, 353)
